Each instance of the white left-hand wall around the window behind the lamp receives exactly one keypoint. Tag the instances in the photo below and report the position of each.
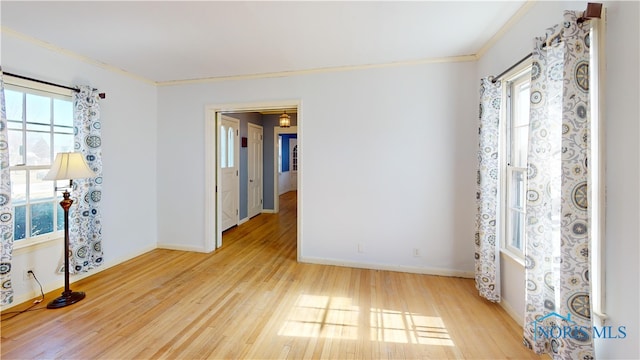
(129, 161)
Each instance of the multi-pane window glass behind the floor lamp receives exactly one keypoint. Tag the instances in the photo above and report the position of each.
(39, 125)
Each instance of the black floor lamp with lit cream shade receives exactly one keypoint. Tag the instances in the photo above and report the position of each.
(67, 166)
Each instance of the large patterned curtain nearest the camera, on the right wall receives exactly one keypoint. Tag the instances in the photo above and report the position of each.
(558, 313)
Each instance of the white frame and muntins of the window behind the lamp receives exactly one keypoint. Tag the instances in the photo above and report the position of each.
(52, 92)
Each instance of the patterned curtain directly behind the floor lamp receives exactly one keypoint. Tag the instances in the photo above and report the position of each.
(85, 232)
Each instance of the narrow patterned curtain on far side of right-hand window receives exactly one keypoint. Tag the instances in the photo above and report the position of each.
(487, 247)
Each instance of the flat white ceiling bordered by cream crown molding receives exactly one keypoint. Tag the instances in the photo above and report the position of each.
(179, 40)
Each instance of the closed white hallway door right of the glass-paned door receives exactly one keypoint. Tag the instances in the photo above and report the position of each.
(254, 167)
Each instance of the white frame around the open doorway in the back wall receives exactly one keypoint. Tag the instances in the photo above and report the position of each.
(213, 234)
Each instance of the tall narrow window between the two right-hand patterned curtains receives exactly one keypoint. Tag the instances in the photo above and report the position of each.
(515, 162)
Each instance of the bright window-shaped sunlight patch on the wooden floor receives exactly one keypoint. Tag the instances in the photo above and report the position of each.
(336, 317)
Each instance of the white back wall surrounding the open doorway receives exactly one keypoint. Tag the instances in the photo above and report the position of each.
(403, 139)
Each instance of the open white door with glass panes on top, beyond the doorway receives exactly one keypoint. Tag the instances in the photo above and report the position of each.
(228, 151)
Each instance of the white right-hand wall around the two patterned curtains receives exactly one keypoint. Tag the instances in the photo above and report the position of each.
(622, 160)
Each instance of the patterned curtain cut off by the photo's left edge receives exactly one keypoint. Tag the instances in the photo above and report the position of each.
(6, 208)
